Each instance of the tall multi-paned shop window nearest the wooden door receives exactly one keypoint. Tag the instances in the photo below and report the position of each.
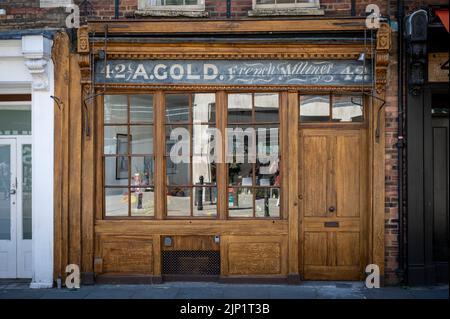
(253, 155)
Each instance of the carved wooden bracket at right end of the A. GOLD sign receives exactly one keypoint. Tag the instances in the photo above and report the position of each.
(382, 57)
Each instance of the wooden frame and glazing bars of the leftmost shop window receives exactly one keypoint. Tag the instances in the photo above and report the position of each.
(128, 155)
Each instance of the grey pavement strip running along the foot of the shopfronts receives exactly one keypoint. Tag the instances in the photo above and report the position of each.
(16, 289)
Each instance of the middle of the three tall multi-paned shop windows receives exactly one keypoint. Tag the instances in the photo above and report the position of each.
(191, 185)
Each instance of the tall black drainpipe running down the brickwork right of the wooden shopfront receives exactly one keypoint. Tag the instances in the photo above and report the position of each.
(402, 259)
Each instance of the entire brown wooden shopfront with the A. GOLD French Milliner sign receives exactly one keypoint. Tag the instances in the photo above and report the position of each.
(125, 211)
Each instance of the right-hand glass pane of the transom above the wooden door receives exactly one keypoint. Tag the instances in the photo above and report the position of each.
(347, 108)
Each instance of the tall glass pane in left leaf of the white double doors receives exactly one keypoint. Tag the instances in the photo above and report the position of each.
(5, 186)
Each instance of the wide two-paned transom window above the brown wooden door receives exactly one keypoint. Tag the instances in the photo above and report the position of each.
(334, 108)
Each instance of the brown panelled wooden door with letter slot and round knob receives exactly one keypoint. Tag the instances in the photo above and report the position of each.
(333, 197)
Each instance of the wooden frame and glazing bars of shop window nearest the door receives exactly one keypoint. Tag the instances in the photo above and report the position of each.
(254, 187)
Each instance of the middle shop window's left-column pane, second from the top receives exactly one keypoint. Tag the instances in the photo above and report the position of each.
(180, 144)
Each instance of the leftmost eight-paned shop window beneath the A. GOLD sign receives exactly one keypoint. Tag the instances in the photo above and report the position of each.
(128, 156)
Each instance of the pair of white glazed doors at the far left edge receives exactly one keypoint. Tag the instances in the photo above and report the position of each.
(15, 207)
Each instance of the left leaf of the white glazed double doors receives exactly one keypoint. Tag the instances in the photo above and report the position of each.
(7, 208)
